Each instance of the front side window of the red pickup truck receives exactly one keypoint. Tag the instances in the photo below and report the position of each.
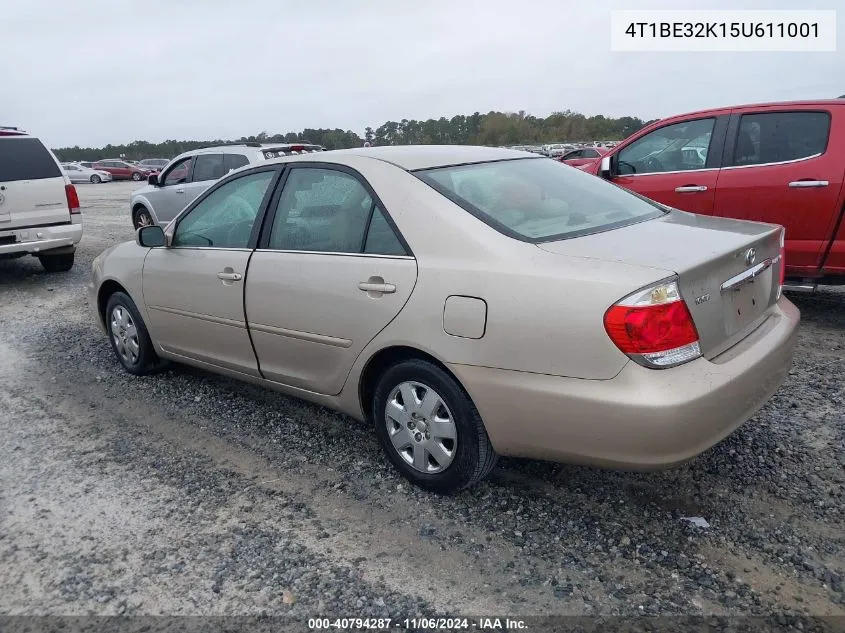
(677, 147)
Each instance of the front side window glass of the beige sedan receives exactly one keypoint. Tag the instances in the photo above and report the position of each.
(224, 218)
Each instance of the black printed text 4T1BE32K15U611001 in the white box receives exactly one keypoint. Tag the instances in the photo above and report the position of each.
(723, 29)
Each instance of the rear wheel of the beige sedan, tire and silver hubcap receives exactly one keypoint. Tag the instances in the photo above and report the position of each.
(411, 430)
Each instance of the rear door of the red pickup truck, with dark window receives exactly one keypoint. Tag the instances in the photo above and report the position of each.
(781, 168)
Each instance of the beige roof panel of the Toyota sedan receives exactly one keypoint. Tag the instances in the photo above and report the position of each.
(413, 157)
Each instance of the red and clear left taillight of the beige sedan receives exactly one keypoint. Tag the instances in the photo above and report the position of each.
(654, 327)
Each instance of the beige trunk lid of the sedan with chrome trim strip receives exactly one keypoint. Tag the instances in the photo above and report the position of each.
(728, 270)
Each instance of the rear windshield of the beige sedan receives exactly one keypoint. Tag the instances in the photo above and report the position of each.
(539, 200)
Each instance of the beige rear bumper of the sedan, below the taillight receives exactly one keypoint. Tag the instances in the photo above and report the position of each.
(642, 418)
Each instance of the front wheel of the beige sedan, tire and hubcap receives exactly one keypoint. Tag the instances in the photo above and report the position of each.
(129, 337)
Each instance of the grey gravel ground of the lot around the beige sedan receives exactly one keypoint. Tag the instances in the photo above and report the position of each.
(186, 493)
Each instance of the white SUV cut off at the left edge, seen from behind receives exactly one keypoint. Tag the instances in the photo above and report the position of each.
(39, 207)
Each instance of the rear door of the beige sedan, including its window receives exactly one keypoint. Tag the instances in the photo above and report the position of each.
(330, 273)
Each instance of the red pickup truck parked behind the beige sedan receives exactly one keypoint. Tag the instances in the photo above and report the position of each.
(782, 163)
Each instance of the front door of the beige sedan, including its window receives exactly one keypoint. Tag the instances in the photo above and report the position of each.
(194, 287)
